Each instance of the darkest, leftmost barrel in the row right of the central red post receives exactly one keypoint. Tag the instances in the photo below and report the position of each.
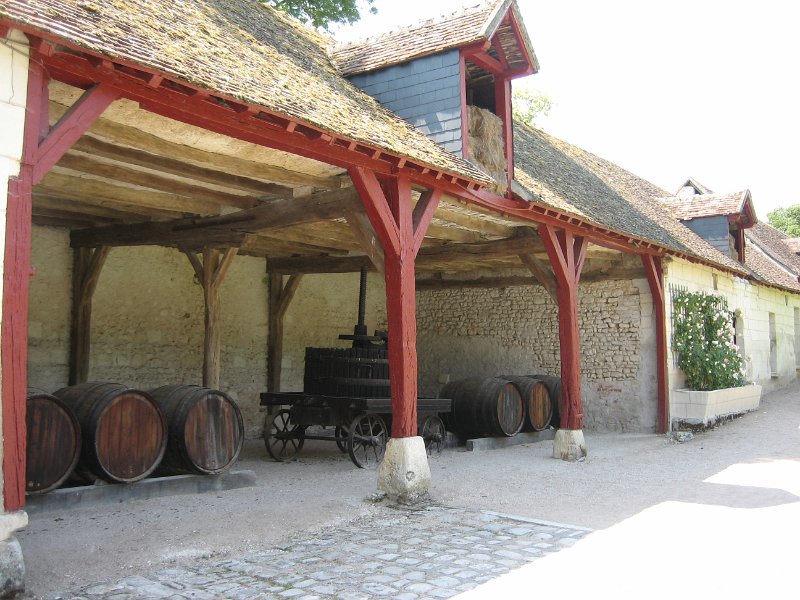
(484, 407)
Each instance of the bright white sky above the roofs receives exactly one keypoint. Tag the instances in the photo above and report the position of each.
(667, 90)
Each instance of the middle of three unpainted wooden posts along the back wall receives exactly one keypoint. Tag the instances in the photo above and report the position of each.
(211, 273)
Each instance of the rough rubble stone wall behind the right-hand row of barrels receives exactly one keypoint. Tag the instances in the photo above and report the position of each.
(487, 332)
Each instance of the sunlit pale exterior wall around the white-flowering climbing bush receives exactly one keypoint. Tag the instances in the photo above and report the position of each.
(753, 303)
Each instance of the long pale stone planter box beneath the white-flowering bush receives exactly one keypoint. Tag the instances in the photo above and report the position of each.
(706, 408)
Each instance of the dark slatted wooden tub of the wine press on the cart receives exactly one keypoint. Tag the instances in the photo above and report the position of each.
(354, 372)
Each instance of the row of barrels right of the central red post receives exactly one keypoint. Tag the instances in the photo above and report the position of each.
(503, 406)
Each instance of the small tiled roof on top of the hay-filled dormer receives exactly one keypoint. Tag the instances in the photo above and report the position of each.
(466, 26)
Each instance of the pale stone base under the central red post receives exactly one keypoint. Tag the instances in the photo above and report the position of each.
(404, 474)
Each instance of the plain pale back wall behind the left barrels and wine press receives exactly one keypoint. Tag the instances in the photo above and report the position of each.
(147, 321)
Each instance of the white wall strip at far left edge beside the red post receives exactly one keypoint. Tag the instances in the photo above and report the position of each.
(13, 93)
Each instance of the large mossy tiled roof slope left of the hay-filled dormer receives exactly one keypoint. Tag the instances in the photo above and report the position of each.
(241, 49)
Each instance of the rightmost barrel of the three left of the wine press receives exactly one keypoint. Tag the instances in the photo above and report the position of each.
(206, 430)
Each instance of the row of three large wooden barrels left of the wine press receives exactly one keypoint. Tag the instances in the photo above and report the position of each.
(108, 431)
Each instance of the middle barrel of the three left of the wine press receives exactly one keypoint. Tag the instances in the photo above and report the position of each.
(124, 431)
